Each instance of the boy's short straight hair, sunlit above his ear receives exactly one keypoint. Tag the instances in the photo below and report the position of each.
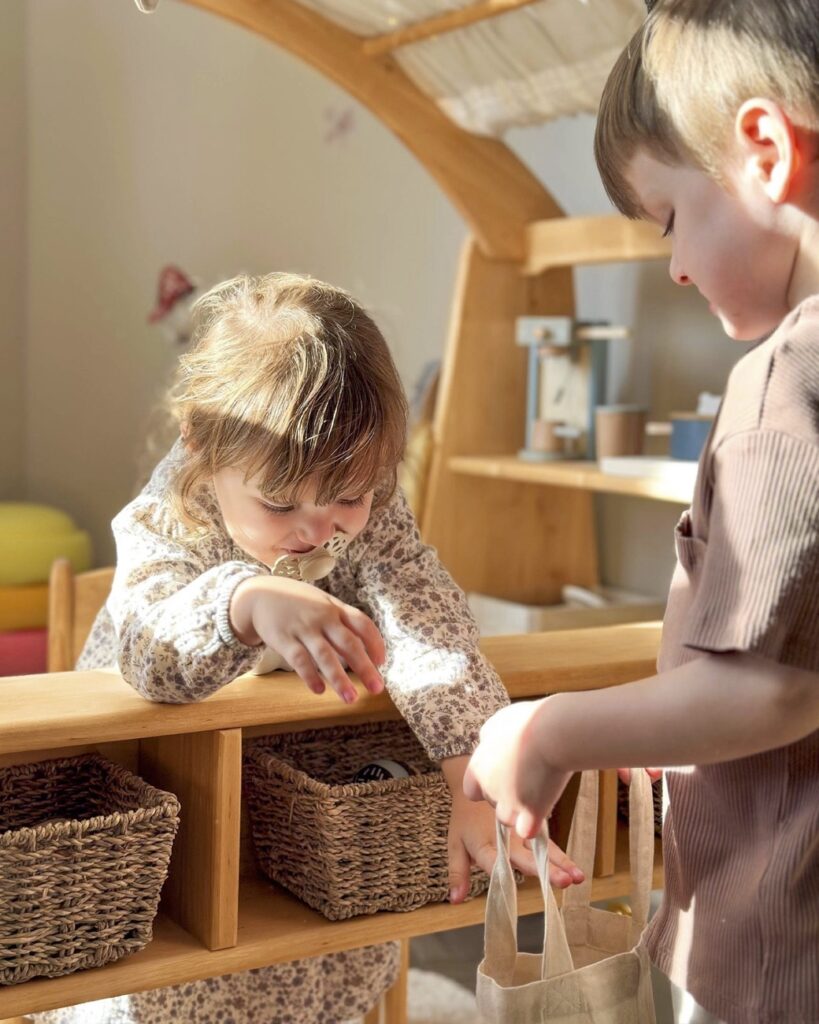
(677, 88)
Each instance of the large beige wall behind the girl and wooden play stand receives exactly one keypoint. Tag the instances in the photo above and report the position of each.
(180, 138)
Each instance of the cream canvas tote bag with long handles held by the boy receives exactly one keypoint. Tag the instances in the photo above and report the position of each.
(592, 970)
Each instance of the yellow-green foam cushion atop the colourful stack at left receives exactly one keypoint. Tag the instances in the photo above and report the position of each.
(32, 537)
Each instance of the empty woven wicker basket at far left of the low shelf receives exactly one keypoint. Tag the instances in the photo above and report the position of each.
(84, 851)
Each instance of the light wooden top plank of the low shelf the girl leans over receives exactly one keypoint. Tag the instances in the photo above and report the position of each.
(62, 710)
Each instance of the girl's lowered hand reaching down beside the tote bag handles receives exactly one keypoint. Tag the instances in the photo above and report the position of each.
(472, 840)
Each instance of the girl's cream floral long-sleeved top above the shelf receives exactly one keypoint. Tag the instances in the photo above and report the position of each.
(166, 624)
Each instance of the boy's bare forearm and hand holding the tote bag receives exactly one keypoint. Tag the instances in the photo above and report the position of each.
(718, 708)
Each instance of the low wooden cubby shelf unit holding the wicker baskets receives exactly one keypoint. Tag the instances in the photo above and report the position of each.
(214, 918)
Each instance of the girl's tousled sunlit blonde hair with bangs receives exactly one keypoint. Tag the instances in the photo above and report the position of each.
(289, 379)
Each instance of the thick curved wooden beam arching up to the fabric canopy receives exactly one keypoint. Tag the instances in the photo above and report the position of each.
(496, 194)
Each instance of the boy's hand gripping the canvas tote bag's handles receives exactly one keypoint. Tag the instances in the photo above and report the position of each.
(510, 771)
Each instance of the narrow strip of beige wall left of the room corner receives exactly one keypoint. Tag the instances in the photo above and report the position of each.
(13, 248)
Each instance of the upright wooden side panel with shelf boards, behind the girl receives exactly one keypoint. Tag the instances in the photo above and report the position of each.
(505, 528)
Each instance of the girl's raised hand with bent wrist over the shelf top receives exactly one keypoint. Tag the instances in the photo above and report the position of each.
(312, 631)
